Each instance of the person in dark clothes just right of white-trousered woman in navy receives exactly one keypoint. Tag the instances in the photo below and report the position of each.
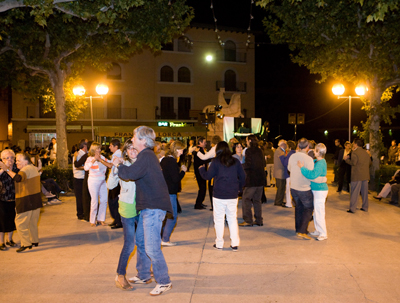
(255, 181)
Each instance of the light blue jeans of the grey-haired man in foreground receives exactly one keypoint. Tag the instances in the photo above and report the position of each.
(148, 242)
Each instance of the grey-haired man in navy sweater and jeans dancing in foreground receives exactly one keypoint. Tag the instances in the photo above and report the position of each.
(152, 201)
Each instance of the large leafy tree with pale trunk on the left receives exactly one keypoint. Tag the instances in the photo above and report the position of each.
(55, 40)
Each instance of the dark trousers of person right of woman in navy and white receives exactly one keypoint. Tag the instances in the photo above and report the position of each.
(252, 197)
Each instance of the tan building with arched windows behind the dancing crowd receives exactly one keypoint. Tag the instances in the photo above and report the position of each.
(166, 91)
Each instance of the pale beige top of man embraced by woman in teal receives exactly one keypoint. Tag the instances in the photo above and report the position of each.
(297, 180)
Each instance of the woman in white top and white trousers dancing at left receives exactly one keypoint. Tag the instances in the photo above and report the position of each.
(97, 165)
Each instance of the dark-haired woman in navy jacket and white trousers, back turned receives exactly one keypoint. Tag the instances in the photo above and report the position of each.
(229, 178)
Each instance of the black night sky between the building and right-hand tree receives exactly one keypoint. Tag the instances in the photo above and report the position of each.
(283, 87)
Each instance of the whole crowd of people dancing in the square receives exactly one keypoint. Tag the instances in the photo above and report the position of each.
(144, 180)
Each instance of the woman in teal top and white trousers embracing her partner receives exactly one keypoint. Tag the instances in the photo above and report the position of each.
(320, 190)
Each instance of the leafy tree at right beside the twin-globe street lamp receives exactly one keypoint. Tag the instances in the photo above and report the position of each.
(350, 40)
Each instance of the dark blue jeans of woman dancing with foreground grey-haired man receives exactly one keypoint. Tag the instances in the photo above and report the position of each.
(129, 225)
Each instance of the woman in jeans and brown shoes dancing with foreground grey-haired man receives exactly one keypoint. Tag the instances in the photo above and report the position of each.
(127, 210)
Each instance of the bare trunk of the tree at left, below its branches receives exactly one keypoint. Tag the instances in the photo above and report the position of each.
(57, 81)
